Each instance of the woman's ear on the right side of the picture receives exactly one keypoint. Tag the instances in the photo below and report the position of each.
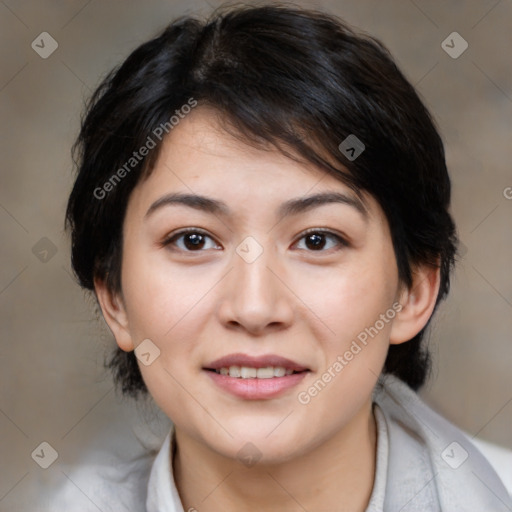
(417, 302)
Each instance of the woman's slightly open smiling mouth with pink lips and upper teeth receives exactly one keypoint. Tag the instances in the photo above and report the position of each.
(255, 378)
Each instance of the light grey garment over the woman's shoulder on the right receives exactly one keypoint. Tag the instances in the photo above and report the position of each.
(428, 452)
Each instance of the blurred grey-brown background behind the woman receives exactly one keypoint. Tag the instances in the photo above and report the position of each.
(53, 387)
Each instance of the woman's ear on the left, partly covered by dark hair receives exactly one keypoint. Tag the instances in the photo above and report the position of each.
(115, 315)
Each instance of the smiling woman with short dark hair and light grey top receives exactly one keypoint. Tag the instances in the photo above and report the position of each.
(261, 211)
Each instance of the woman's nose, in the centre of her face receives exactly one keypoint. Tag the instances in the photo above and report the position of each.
(256, 297)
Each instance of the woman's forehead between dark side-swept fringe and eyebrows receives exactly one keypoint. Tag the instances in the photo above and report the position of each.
(200, 157)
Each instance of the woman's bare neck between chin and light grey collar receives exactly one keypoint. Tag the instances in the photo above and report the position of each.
(338, 472)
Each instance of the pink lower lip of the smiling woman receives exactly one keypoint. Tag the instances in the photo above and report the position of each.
(256, 389)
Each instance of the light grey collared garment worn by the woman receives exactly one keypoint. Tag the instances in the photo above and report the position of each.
(424, 463)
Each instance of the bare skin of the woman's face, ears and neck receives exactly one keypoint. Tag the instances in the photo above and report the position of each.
(295, 300)
